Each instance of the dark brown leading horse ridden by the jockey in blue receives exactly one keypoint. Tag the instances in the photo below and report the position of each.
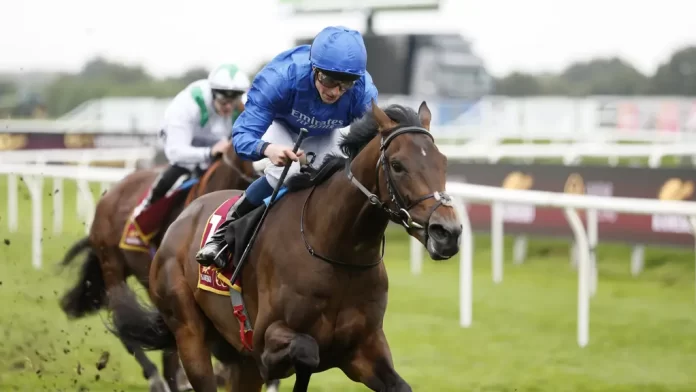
(314, 286)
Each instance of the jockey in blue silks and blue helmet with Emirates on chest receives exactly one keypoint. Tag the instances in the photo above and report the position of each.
(322, 87)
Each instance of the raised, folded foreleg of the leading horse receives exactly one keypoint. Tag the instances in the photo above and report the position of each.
(285, 349)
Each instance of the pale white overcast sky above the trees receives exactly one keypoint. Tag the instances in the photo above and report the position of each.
(170, 36)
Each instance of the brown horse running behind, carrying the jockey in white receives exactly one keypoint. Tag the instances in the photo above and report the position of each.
(107, 265)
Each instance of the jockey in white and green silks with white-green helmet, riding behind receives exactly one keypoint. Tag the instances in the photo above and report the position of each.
(198, 125)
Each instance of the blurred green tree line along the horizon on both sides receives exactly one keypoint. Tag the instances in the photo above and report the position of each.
(600, 76)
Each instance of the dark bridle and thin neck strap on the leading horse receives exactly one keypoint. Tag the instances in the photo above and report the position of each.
(399, 215)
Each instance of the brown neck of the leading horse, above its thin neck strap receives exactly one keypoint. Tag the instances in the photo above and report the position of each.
(341, 214)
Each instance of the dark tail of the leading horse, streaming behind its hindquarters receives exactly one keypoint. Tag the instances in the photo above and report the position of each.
(137, 325)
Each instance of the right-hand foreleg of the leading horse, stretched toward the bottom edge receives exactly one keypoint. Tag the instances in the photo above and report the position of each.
(372, 365)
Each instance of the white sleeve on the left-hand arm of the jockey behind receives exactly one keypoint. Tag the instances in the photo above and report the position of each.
(180, 121)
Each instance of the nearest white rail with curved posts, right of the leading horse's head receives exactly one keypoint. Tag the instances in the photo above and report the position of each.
(585, 239)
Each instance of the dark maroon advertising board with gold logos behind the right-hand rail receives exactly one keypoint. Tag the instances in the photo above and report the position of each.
(660, 183)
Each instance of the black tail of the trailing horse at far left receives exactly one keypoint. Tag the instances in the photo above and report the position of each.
(88, 295)
